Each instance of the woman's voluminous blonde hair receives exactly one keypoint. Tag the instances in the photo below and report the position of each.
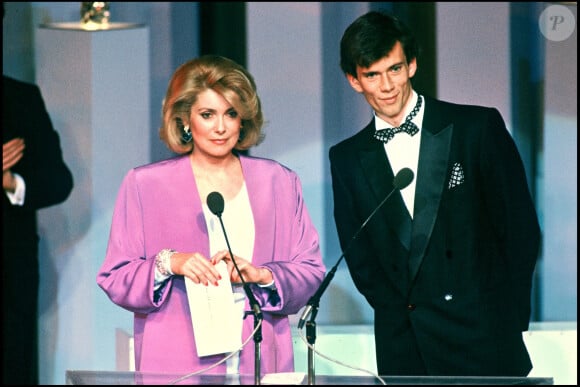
(223, 76)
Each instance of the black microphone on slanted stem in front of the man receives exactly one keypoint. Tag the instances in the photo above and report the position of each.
(403, 178)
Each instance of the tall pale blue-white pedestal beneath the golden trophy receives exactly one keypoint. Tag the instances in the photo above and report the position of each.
(96, 89)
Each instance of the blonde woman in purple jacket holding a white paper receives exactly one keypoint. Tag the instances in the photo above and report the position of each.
(164, 237)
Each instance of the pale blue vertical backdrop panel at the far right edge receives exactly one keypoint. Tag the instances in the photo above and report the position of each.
(558, 180)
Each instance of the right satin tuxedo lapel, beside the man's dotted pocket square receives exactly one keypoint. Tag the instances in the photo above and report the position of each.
(430, 182)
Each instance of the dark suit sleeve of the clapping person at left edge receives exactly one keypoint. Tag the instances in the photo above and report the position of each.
(48, 179)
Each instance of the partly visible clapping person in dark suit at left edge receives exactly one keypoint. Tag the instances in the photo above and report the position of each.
(34, 176)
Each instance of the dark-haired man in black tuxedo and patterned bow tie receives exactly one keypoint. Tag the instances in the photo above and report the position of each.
(447, 262)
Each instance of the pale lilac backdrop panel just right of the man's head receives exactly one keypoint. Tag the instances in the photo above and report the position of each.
(473, 62)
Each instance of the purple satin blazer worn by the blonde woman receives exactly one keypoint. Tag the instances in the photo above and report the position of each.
(158, 207)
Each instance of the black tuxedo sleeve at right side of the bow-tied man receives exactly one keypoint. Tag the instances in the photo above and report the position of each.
(513, 211)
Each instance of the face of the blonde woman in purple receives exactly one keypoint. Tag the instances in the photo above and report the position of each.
(215, 125)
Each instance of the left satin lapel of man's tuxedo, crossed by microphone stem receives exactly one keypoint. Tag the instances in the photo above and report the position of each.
(379, 173)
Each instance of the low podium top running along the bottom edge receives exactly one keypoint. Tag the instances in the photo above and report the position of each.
(137, 378)
